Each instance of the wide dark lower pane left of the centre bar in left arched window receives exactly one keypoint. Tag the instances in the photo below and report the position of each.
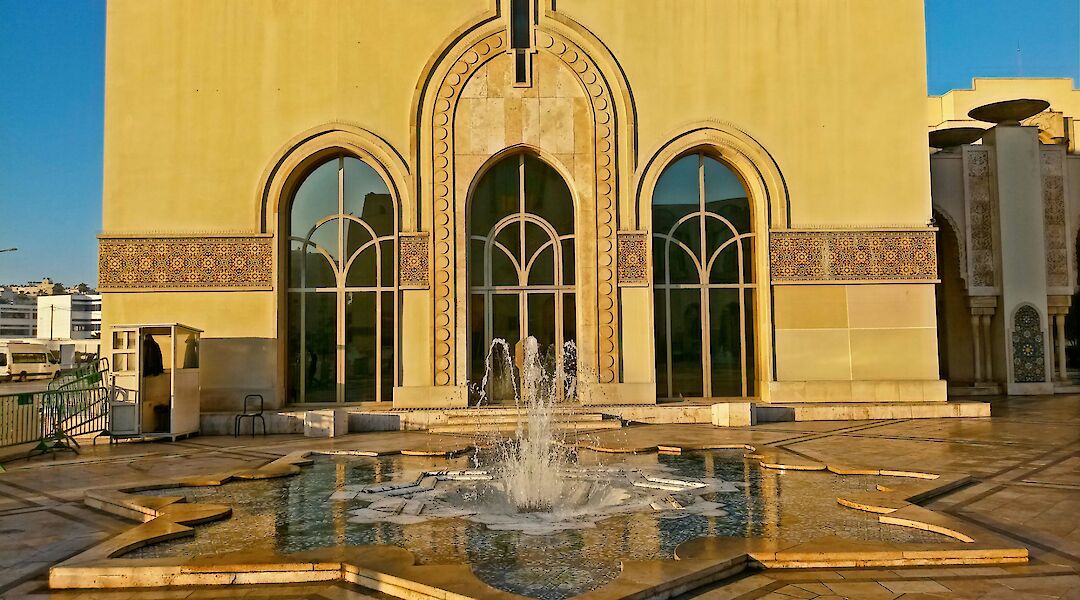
(320, 346)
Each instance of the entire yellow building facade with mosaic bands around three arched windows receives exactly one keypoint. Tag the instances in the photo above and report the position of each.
(219, 114)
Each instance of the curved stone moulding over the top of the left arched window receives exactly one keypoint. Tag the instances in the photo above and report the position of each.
(292, 160)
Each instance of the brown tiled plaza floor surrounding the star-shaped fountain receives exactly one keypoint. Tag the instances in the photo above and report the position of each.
(1027, 460)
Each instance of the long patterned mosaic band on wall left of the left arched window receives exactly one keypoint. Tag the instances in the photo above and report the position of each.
(233, 263)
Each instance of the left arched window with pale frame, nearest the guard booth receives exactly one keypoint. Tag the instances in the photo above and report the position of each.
(343, 293)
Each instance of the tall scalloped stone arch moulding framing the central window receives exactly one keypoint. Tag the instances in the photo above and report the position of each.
(439, 96)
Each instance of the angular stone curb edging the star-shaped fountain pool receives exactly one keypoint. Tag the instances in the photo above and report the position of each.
(394, 571)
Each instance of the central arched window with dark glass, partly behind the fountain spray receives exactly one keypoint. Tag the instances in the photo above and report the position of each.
(521, 262)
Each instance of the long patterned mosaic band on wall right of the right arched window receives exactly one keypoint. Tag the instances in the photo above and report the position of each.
(854, 256)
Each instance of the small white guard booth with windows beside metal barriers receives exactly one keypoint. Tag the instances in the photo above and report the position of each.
(156, 376)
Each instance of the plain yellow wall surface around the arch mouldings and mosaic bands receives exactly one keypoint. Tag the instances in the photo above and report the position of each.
(202, 96)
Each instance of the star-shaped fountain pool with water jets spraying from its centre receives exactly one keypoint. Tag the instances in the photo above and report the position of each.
(525, 510)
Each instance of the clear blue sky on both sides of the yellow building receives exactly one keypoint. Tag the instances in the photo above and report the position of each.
(52, 62)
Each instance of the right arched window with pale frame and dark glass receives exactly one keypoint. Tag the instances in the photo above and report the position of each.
(704, 277)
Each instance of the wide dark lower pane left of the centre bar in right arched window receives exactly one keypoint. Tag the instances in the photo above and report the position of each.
(687, 360)
